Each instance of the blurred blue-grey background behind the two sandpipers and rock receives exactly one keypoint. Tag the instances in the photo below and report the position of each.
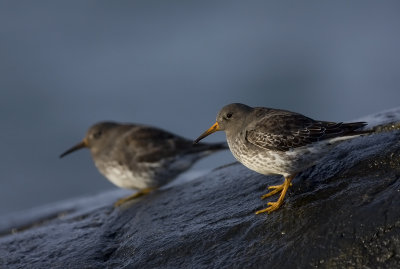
(174, 64)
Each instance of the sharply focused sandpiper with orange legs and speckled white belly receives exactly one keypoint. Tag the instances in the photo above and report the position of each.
(274, 141)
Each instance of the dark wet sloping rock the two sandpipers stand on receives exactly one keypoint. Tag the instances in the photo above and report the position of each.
(342, 213)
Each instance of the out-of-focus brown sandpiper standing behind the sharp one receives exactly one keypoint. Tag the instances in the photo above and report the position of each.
(141, 157)
